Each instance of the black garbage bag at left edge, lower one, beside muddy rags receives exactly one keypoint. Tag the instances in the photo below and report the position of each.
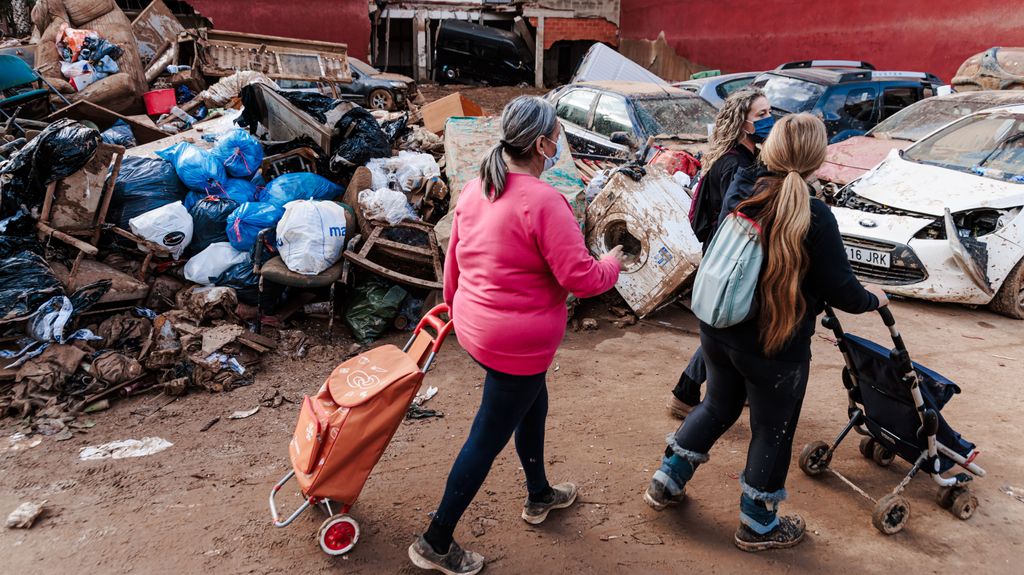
(26, 283)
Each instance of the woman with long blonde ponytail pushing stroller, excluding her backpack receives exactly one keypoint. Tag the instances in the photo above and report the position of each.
(766, 360)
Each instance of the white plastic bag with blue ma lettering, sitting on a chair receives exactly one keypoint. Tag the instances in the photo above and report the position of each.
(312, 236)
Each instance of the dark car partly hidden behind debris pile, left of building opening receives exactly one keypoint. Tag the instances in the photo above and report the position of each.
(370, 87)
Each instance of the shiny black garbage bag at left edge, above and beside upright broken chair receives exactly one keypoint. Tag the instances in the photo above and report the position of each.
(63, 149)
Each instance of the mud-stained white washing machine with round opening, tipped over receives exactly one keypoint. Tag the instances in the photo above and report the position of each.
(650, 219)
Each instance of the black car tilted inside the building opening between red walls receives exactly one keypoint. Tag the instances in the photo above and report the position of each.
(471, 54)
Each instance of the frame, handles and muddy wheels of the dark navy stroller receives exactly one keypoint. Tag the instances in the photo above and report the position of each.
(892, 511)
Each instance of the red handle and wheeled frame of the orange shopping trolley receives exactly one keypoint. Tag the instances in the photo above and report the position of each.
(339, 534)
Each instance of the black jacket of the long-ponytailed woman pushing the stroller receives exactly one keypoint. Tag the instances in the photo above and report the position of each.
(829, 278)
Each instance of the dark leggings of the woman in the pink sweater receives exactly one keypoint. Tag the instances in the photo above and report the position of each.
(510, 404)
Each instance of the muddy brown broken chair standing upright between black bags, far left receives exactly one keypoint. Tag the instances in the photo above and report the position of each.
(75, 212)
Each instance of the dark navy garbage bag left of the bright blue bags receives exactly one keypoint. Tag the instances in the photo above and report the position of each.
(144, 185)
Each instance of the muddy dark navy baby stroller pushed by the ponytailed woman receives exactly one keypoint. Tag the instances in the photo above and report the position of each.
(897, 405)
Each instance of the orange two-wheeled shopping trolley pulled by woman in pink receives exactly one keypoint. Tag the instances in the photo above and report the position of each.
(344, 430)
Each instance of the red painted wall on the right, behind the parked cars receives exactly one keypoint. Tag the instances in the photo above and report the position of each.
(931, 36)
